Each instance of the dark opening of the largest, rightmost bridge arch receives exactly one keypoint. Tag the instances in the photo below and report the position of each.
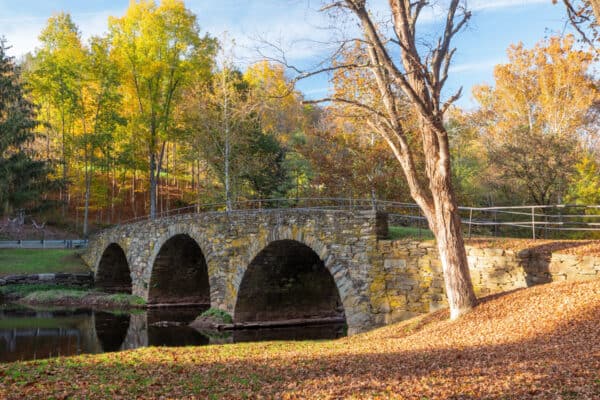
(287, 280)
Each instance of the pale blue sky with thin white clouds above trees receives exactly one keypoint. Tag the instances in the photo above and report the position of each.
(302, 31)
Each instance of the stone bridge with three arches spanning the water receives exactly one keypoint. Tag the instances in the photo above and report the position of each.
(258, 265)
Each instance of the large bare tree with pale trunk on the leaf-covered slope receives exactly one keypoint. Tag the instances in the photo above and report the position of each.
(404, 70)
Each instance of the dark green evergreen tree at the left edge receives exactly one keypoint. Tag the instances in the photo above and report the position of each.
(20, 173)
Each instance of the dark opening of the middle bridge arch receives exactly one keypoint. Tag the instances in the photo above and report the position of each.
(179, 273)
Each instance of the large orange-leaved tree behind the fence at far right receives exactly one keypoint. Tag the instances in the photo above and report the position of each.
(532, 117)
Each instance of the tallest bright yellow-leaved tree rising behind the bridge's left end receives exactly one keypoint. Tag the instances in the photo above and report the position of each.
(158, 47)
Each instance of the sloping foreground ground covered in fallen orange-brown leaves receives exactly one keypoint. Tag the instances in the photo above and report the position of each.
(537, 343)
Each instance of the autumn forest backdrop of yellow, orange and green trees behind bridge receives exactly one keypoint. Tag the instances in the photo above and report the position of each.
(156, 115)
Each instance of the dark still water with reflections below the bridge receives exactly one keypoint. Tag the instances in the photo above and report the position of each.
(28, 333)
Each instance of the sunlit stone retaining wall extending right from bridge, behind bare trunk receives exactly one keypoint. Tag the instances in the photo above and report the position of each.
(412, 282)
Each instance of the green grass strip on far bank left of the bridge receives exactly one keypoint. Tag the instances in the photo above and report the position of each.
(38, 261)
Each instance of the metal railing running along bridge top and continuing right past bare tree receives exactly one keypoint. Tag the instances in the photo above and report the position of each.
(505, 221)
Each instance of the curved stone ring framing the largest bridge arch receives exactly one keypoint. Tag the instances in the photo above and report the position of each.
(355, 309)
